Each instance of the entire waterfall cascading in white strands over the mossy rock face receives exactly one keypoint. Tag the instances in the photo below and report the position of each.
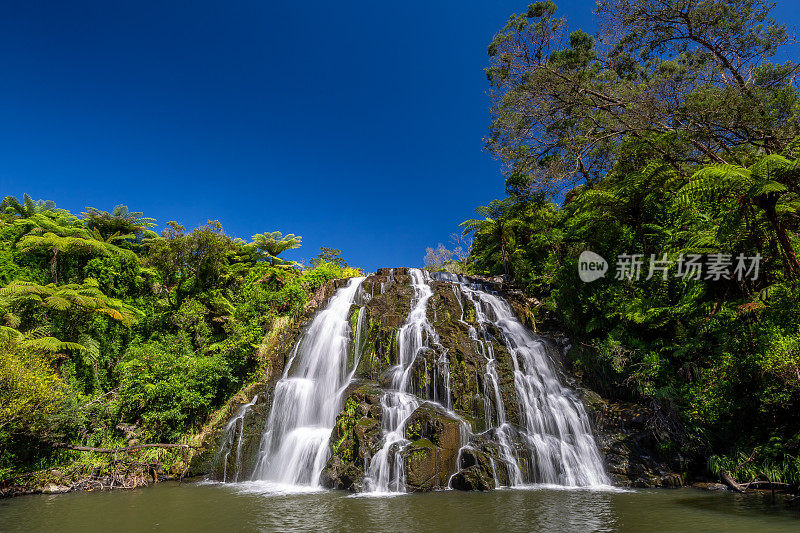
(552, 443)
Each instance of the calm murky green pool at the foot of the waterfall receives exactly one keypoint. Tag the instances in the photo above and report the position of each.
(199, 507)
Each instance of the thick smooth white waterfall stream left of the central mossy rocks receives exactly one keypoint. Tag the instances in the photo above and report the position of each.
(294, 446)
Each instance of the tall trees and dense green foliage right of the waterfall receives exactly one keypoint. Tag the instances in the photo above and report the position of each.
(675, 139)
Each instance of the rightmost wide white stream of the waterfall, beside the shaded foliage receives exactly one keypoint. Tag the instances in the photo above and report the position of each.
(557, 434)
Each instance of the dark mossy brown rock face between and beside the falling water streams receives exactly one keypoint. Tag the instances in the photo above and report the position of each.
(452, 438)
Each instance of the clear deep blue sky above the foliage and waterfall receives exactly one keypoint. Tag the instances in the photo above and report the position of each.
(355, 124)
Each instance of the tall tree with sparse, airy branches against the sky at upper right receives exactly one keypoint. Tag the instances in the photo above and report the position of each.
(690, 81)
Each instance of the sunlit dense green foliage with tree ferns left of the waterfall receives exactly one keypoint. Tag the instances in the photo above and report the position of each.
(111, 332)
